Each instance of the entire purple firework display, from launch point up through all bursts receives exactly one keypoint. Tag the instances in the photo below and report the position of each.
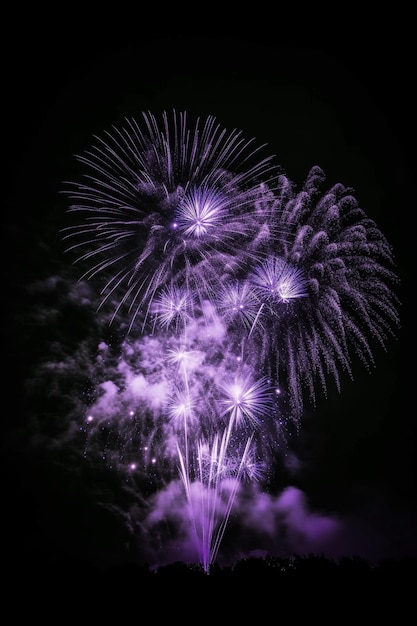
(256, 292)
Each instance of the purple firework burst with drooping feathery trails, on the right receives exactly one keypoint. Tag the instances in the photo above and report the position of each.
(338, 274)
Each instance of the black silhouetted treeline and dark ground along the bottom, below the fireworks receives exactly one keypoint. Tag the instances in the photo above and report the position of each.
(253, 589)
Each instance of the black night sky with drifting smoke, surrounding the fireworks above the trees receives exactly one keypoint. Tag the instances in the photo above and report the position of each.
(348, 485)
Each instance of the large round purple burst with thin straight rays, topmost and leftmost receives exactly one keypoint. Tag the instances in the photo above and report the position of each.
(162, 200)
